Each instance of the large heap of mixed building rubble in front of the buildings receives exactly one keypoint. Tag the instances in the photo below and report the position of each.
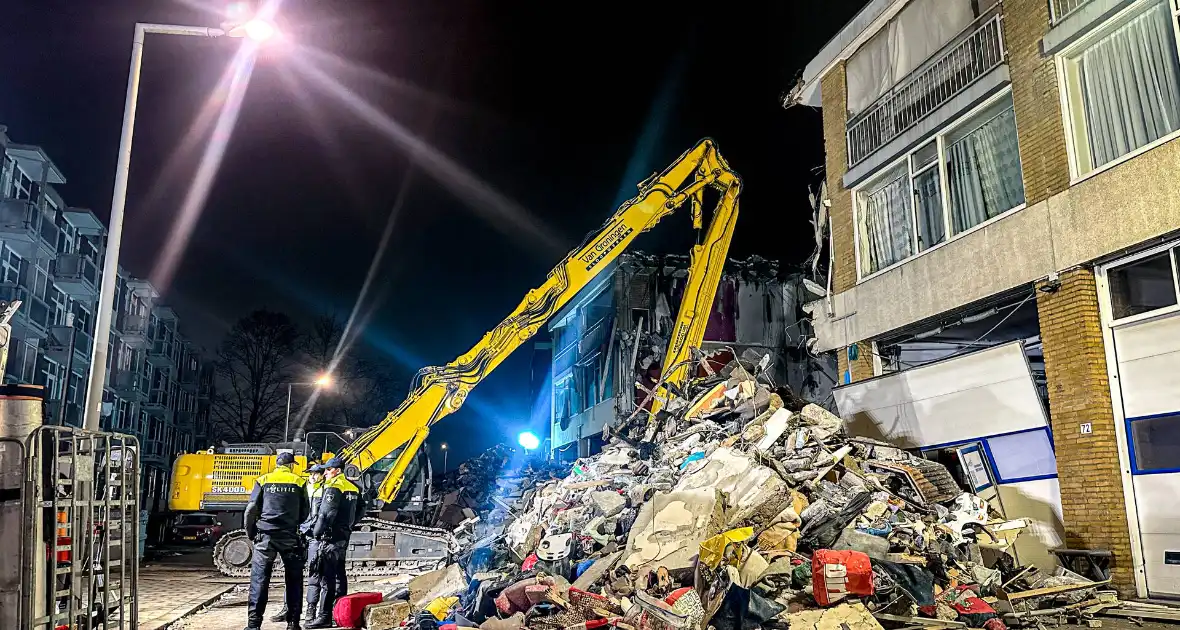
(736, 509)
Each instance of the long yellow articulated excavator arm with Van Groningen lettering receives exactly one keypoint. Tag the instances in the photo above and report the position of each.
(441, 391)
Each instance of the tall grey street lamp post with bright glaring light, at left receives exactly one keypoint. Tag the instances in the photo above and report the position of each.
(255, 30)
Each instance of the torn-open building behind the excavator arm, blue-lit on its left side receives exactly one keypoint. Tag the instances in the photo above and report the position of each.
(613, 337)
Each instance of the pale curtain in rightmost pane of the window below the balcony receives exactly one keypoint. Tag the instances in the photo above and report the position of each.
(984, 170)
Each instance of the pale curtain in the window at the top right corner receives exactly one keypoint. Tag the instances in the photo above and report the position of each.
(1131, 87)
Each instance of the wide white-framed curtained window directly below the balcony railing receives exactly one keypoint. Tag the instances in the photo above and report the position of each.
(965, 175)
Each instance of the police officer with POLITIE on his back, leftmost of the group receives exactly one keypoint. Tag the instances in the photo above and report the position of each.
(278, 506)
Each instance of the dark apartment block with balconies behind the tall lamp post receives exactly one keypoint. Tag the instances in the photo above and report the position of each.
(51, 259)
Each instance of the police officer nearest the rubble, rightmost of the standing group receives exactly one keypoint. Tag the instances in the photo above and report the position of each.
(338, 513)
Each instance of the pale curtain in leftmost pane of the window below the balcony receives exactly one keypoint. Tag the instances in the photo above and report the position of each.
(887, 225)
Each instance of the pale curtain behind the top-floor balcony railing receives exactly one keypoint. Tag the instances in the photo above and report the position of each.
(917, 32)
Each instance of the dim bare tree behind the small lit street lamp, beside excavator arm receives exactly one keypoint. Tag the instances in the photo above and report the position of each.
(363, 390)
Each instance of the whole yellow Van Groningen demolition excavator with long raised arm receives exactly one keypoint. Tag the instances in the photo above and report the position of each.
(382, 547)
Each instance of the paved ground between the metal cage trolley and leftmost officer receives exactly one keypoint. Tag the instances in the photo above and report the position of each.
(175, 586)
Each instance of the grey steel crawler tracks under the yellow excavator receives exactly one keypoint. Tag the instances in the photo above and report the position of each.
(378, 548)
